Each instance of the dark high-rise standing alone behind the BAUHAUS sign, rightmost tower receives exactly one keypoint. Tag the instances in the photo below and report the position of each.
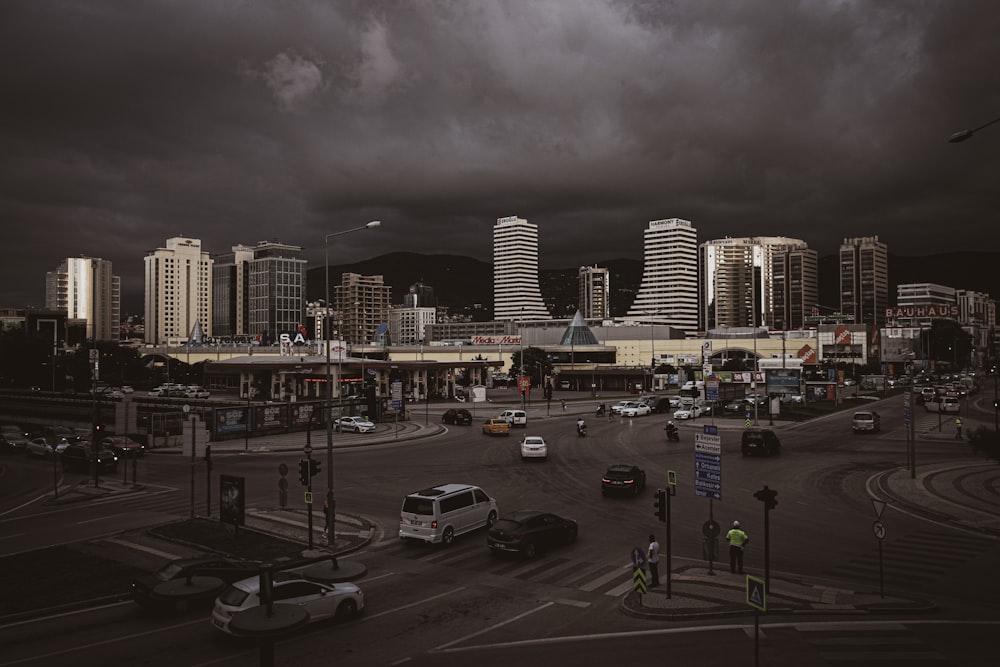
(864, 280)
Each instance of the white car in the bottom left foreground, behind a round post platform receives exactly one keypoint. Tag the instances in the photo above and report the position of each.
(322, 601)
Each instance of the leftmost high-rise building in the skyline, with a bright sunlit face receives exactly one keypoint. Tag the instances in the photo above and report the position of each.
(86, 289)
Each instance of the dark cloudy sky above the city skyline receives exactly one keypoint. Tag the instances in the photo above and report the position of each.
(125, 123)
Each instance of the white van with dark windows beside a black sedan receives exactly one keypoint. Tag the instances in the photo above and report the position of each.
(438, 514)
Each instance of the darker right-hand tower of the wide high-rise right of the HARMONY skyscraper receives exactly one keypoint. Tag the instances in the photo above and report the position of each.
(794, 287)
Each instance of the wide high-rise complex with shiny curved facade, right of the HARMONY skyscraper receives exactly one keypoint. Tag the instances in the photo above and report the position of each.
(757, 281)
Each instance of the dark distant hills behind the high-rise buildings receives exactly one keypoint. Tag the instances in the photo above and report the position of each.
(465, 285)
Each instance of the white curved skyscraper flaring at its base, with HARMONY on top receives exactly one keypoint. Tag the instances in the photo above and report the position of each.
(668, 293)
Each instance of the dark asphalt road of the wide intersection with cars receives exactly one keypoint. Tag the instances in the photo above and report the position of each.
(462, 603)
